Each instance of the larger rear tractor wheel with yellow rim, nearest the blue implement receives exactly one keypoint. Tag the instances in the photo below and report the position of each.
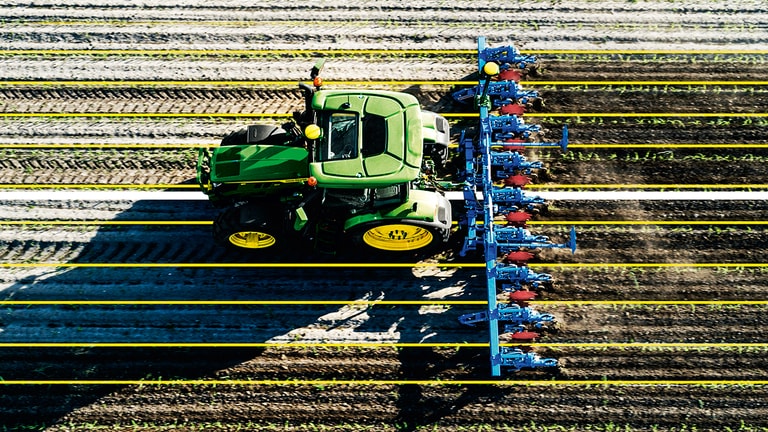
(398, 237)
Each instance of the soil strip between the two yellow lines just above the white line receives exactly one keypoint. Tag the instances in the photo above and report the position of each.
(621, 167)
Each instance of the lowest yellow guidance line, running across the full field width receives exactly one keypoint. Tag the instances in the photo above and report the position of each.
(324, 383)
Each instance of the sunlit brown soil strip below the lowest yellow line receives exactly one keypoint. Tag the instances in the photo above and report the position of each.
(452, 409)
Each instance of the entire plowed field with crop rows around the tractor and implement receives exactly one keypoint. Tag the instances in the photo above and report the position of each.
(120, 313)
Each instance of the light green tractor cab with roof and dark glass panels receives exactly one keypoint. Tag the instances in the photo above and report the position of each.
(367, 139)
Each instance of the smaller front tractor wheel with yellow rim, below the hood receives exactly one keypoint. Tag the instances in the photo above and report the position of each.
(259, 229)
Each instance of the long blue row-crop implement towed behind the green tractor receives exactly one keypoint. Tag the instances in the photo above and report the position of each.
(486, 161)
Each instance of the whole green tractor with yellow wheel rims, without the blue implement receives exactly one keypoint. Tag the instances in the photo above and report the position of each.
(355, 170)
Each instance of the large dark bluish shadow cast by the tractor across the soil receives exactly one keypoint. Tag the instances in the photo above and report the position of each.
(36, 406)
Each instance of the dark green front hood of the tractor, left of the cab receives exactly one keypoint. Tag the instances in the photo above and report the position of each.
(258, 163)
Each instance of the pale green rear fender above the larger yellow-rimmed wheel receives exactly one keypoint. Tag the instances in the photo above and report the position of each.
(425, 208)
